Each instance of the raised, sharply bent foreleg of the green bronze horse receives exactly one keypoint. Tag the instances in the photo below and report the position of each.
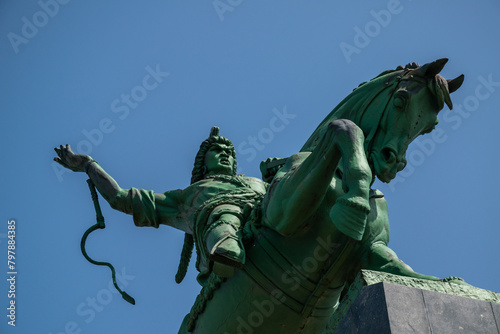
(300, 188)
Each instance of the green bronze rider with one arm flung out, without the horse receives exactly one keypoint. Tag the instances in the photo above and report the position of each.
(212, 209)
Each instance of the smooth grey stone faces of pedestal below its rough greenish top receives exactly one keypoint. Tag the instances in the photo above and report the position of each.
(391, 308)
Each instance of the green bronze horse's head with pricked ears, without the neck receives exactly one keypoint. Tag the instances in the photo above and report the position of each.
(416, 97)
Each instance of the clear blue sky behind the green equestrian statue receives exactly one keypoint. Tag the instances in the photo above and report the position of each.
(69, 66)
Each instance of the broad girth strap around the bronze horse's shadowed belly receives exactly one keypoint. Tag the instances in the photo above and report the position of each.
(273, 272)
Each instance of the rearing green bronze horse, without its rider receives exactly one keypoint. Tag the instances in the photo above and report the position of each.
(320, 222)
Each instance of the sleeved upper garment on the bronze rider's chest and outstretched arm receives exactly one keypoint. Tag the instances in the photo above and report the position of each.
(188, 209)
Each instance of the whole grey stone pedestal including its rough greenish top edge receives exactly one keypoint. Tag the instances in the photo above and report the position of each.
(379, 304)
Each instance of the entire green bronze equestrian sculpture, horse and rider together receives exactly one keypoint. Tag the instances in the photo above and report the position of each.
(299, 240)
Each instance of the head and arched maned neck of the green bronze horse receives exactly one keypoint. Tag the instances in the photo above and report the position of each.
(392, 110)
